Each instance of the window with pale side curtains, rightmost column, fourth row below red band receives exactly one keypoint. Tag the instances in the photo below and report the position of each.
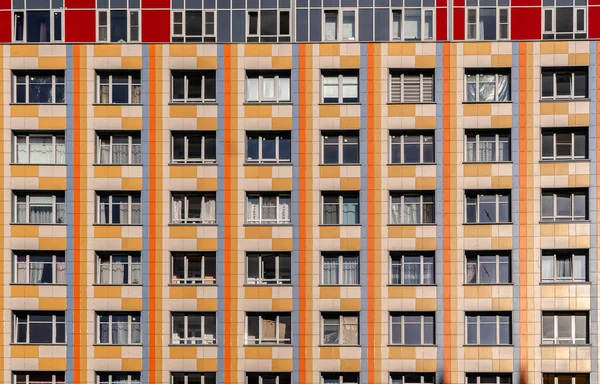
(564, 266)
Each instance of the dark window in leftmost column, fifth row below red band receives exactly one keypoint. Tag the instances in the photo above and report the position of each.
(37, 327)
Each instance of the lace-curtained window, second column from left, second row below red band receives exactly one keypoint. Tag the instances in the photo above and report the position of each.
(118, 148)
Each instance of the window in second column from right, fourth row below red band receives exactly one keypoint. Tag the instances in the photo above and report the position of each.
(487, 267)
